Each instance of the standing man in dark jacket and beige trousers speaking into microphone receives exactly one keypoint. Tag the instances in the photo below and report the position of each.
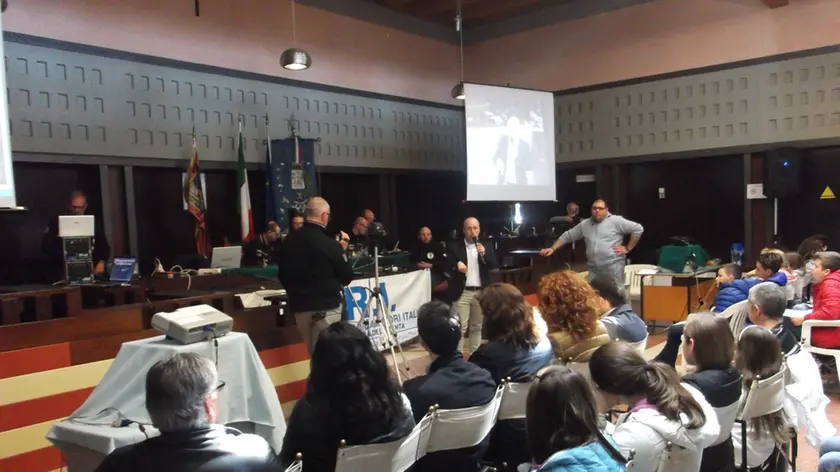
(469, 262)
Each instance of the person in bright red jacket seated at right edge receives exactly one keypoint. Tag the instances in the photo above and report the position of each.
(826, 278)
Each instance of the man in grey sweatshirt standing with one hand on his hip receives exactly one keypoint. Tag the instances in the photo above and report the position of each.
(604, 235)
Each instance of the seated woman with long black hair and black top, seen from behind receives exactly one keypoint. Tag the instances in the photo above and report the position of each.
(350, 396)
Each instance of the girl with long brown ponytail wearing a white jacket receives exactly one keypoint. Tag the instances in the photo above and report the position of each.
(669, 423)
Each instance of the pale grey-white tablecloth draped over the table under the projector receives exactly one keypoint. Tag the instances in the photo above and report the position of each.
(248, 401)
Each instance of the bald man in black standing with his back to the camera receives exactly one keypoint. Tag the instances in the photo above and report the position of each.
(314, 272)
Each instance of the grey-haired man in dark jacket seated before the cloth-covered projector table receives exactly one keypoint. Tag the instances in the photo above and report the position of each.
(181, 398)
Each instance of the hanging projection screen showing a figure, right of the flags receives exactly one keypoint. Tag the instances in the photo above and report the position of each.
(510, 144)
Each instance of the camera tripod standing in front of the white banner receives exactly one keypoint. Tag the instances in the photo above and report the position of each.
(380, 313)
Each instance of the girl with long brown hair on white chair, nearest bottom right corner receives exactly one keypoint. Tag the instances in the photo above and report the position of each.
(759, 356)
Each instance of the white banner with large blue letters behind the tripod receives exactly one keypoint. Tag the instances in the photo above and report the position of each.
(402, 293)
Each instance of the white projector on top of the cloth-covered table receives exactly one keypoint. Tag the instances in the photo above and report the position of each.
(193, 324)
